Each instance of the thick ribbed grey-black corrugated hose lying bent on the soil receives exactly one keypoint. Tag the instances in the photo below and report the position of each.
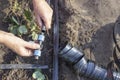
(85, 67)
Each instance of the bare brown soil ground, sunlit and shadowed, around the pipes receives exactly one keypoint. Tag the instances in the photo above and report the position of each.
(86, 24)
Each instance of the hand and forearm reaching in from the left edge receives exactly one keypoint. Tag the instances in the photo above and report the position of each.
(17, 44)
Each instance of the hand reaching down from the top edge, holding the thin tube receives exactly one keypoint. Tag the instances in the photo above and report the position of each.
(43, 12)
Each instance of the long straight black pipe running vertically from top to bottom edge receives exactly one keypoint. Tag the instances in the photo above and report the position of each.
(56, 40)
